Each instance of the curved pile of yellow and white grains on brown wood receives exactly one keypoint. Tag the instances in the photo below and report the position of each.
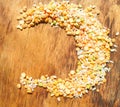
(93, 47)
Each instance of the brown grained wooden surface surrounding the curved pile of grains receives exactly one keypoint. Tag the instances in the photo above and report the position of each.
(45, 50)
